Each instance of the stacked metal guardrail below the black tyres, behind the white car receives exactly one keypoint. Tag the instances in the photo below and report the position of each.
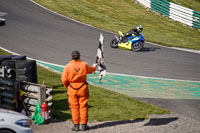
(23, 96)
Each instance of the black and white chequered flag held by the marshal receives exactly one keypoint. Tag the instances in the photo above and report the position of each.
(100, 58)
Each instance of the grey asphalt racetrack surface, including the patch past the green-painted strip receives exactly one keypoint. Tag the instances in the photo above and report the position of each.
(40, 34)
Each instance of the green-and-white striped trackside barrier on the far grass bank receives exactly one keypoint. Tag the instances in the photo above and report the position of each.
(174, 11)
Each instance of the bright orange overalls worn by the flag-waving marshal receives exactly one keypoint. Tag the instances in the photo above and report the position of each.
(74, 78)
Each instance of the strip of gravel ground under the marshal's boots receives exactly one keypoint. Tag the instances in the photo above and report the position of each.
(169, 123)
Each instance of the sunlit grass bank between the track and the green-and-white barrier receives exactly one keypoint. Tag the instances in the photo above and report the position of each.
(115, 15)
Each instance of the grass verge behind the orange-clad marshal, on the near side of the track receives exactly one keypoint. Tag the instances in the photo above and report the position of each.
(104, 105)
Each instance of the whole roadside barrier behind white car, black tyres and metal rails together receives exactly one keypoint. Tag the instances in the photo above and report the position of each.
(19, 90)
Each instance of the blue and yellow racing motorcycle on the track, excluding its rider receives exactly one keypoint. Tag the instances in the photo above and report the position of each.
(134, 43)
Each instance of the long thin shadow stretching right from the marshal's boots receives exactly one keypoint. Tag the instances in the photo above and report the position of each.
(114, 123)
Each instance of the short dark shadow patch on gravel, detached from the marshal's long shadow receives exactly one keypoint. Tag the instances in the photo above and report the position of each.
(160, 121)
